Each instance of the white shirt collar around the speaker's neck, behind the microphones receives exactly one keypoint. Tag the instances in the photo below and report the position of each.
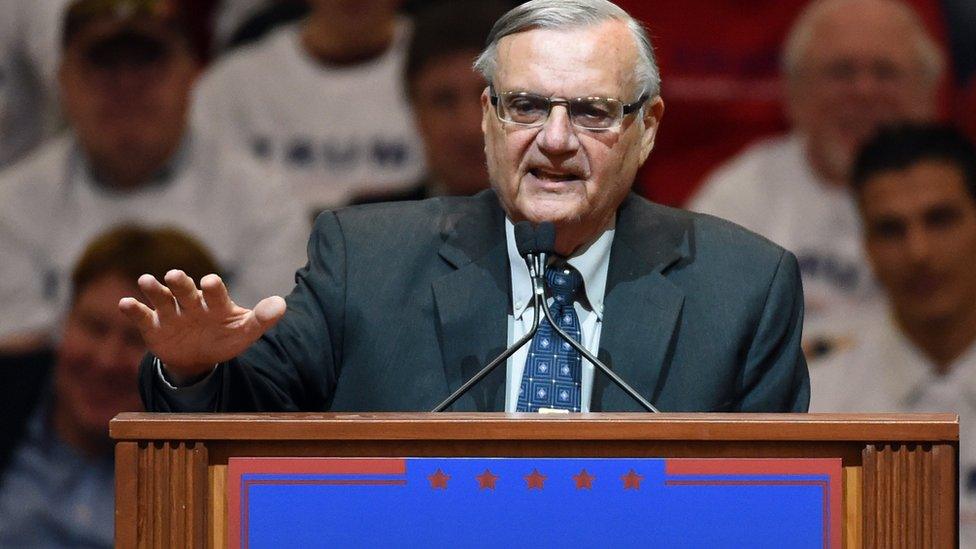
(593, 263)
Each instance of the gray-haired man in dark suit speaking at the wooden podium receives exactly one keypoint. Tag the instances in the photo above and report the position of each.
(399, 304)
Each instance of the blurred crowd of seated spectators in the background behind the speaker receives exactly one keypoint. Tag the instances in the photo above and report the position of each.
(139, 135)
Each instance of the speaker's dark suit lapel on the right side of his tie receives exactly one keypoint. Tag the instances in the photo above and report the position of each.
(641, 306)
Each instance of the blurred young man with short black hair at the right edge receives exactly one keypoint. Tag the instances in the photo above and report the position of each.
(916, 188)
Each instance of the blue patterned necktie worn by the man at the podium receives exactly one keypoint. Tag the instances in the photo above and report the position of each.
(551, 378)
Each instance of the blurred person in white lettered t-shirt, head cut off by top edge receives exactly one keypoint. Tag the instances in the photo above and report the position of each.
(322, 102)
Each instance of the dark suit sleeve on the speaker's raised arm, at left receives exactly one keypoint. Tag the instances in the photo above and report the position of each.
(294, 366)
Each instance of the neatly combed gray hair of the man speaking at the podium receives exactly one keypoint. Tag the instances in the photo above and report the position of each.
(566, 14)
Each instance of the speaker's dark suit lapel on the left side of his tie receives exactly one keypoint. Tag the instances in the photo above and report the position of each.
(472, 302)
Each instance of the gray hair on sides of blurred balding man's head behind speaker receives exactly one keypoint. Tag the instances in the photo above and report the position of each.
(799, 40)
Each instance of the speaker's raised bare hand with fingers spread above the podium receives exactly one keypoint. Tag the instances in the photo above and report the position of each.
(189, 329)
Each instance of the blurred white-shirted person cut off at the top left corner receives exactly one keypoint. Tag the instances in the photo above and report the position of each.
(29, 54)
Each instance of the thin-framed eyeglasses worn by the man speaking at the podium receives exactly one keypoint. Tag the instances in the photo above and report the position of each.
(589, 113)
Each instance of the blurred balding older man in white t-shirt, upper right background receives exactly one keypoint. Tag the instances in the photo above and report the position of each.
(849, 65)
